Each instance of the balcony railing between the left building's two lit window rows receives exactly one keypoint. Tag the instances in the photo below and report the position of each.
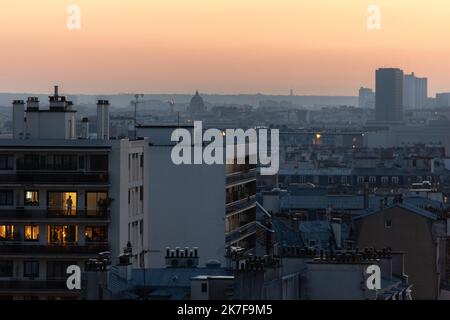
(25, 213)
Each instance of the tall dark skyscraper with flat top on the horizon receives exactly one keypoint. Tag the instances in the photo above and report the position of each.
(389, 95)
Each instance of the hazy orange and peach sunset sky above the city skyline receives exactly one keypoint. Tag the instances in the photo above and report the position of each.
(220, 46)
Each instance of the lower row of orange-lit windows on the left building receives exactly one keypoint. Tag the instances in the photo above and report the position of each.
(56, 234)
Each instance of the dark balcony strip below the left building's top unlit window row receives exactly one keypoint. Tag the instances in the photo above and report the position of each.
(63, 178)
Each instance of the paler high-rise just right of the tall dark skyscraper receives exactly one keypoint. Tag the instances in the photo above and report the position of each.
(415, 91)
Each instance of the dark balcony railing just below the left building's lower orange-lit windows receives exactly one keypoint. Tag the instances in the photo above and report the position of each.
(20, 248)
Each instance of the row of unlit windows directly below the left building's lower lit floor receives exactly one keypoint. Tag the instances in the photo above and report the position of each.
(56, 270)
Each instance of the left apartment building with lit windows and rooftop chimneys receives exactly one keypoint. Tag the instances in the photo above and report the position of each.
(64, 200)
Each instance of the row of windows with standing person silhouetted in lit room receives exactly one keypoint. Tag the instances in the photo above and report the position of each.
(64, 201)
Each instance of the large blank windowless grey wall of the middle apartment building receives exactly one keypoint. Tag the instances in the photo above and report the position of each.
(186, 207)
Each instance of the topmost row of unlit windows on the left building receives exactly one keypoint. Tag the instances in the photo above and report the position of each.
(54, 162)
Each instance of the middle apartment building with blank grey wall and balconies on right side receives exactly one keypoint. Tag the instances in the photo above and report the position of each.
(202, 206)
